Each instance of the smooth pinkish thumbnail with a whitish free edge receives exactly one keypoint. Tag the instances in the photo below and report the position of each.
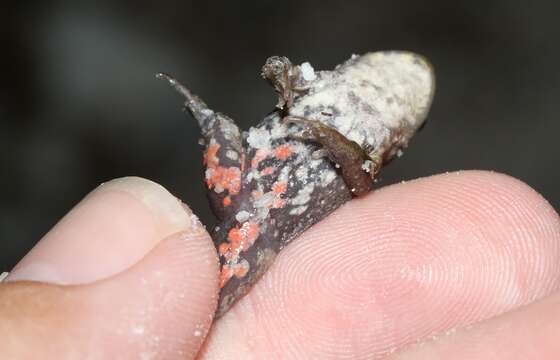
(109, 230)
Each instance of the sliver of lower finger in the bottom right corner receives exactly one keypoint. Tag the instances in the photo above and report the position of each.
(530, 332)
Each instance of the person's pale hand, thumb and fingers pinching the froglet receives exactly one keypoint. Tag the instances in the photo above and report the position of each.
(455, 266)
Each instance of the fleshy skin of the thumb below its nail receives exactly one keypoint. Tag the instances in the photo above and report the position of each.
(161, 307)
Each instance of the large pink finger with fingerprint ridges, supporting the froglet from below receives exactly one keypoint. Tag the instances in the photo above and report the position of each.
(406, 262)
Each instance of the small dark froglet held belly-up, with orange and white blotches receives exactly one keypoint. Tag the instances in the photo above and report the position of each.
(324, 143)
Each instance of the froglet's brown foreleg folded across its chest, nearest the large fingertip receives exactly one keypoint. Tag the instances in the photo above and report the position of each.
(343, 152)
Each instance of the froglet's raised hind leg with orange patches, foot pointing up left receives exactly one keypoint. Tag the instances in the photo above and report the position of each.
(224, 157)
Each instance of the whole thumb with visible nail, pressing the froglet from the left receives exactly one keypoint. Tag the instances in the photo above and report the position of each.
(160, 307)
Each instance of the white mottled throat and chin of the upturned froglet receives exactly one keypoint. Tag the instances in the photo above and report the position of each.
(377, 100)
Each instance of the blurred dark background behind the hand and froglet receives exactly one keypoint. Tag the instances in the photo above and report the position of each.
(79, 104)
